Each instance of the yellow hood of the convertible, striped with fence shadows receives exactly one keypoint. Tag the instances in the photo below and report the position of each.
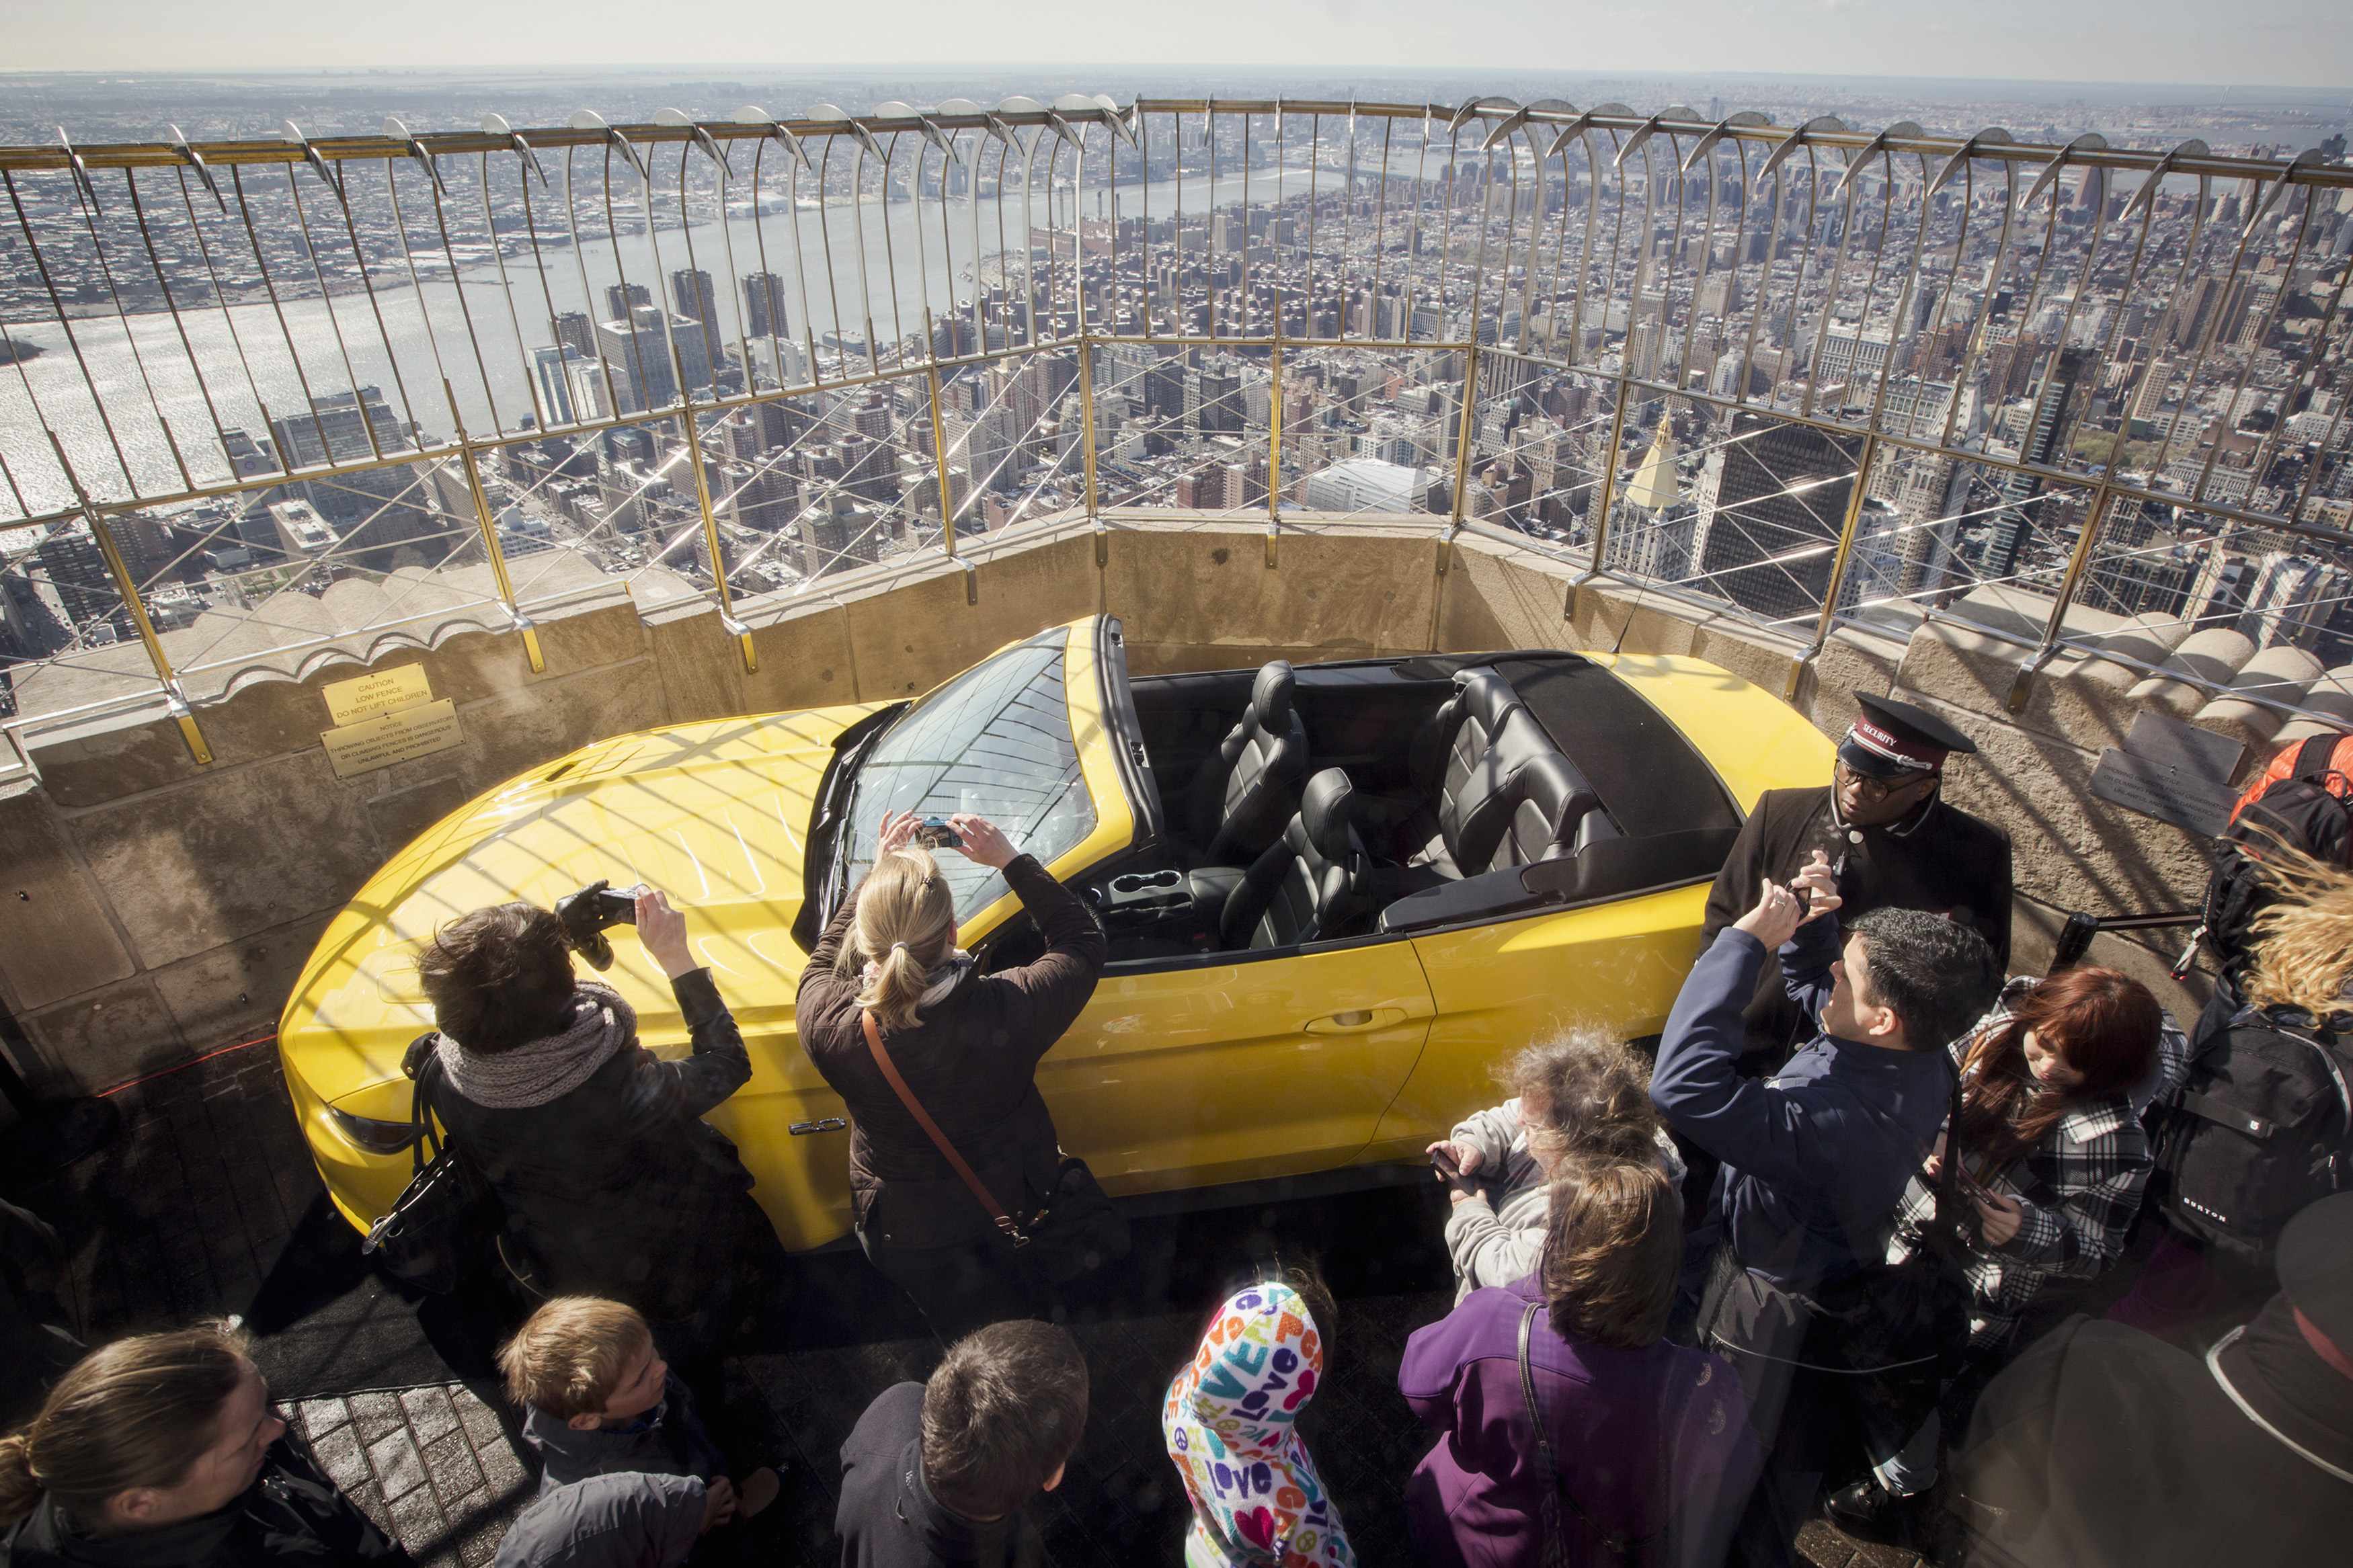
(714, 815)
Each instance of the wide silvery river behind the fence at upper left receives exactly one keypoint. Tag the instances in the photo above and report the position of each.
(340, 344)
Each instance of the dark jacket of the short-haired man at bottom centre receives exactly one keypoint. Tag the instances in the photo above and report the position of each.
(891, 1520)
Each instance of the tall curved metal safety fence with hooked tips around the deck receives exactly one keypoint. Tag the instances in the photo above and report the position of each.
(265, 403)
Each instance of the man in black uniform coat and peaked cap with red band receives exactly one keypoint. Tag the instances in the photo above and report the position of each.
(1891, 838)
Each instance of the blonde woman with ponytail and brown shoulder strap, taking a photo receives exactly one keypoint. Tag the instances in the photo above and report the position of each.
(968, 1047)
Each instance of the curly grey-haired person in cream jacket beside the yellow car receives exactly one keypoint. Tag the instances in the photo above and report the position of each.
(1582, 1090)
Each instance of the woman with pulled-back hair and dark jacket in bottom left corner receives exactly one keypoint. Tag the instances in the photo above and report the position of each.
(164, 1452)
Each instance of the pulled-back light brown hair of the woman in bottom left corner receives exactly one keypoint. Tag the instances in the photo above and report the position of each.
(133, 1414)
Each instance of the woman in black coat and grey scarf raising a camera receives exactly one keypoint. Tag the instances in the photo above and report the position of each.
(599, 1153)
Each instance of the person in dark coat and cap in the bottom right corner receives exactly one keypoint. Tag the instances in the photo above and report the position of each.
(2105, 1445)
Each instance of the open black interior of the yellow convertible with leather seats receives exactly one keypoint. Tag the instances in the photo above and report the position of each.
(1321, 803)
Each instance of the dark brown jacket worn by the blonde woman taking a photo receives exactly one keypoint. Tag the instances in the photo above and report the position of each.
(971, 1061)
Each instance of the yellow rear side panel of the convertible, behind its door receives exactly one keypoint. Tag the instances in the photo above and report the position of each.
(1507, 984)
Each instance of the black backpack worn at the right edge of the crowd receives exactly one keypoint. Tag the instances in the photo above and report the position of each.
(2260, 1130)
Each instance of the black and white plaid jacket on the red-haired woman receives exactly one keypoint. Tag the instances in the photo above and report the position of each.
(2079, 1193)
